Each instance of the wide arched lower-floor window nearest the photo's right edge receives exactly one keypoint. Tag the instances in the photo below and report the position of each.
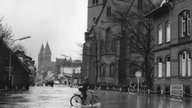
(185, 64)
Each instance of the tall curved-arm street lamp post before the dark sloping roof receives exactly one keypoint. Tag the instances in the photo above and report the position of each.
(10, 76)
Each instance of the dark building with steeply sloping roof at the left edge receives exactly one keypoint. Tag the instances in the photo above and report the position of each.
(15, 75)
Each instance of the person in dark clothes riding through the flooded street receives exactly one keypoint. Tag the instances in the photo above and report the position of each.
(84, 89)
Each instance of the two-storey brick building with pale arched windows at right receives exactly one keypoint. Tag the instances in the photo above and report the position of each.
(173, 44)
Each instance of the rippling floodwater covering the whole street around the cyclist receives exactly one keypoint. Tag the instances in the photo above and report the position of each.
(59, 96)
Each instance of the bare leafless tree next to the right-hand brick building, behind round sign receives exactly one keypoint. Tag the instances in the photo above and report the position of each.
(141, 42)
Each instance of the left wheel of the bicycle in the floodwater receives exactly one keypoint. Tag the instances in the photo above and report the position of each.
(75, 100)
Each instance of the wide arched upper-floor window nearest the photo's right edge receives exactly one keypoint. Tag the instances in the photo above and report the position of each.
(184, 23)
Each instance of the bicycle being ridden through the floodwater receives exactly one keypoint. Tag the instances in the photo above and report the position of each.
(76, 99)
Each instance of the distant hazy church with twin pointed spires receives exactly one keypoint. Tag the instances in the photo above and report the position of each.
(45, 65)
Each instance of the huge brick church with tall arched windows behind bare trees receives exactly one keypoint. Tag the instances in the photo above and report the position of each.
(101, 50)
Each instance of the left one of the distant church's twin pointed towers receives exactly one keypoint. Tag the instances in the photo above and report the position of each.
(40, 57)
